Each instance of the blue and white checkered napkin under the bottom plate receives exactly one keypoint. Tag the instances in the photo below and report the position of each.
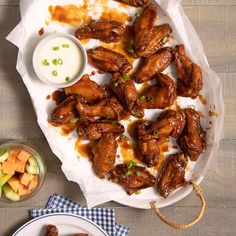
(104, 217)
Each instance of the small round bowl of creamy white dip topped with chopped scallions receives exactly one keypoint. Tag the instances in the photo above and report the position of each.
(59, 60)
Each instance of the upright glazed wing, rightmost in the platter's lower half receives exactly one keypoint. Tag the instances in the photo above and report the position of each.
(193, 140)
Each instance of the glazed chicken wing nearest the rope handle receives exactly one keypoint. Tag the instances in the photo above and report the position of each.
(171, 176)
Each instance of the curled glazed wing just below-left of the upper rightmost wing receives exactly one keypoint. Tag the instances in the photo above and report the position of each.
(161, 95)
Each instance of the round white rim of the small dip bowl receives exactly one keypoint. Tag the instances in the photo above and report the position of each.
(36, 64)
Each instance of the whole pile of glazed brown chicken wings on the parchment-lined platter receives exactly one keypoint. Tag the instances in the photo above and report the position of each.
(98, 110)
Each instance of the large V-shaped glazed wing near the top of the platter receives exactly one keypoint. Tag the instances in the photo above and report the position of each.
(149, 38)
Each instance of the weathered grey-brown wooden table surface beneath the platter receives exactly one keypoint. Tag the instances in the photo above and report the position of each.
(215, 23)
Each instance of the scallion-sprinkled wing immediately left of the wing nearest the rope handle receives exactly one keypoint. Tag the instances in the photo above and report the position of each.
(132, 179)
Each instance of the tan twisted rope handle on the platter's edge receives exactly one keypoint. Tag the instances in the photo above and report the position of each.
(188, 225)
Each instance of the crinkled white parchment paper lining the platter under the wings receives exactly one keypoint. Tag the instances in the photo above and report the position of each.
(25, 36)
